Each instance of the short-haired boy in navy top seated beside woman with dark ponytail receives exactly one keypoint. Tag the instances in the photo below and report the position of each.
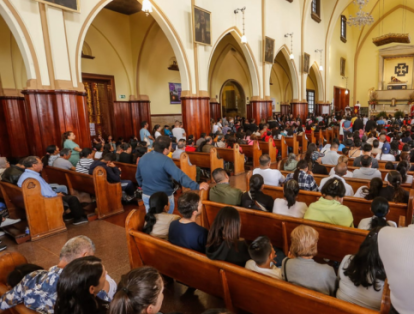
(186, 232)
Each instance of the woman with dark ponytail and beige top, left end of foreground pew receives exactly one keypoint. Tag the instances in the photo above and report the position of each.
(157, 220)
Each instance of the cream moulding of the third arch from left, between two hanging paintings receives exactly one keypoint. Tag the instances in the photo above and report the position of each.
(248, 55)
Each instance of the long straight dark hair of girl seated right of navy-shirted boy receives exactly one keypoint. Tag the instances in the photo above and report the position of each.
(225, 228)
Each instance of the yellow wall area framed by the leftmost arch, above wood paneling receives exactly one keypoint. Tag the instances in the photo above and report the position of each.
(12, 68)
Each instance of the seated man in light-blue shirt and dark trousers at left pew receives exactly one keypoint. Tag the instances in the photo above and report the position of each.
(33, 167)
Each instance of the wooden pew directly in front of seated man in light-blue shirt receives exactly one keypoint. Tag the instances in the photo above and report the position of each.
(108, 195)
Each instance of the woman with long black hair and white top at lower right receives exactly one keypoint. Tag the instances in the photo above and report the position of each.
(362, 276)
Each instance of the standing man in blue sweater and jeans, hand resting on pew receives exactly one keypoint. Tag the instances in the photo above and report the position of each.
(156, 170)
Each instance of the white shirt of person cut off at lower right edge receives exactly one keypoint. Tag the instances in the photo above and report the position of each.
(396, 250)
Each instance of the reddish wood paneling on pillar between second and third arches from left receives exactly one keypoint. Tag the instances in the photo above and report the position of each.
(196, 115)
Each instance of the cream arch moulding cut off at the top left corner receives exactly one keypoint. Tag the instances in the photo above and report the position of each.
(23, 40)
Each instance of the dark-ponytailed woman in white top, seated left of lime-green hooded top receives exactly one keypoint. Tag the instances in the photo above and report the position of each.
(288, 206)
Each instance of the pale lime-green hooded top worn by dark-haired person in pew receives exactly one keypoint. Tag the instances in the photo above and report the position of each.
(330, 211)
